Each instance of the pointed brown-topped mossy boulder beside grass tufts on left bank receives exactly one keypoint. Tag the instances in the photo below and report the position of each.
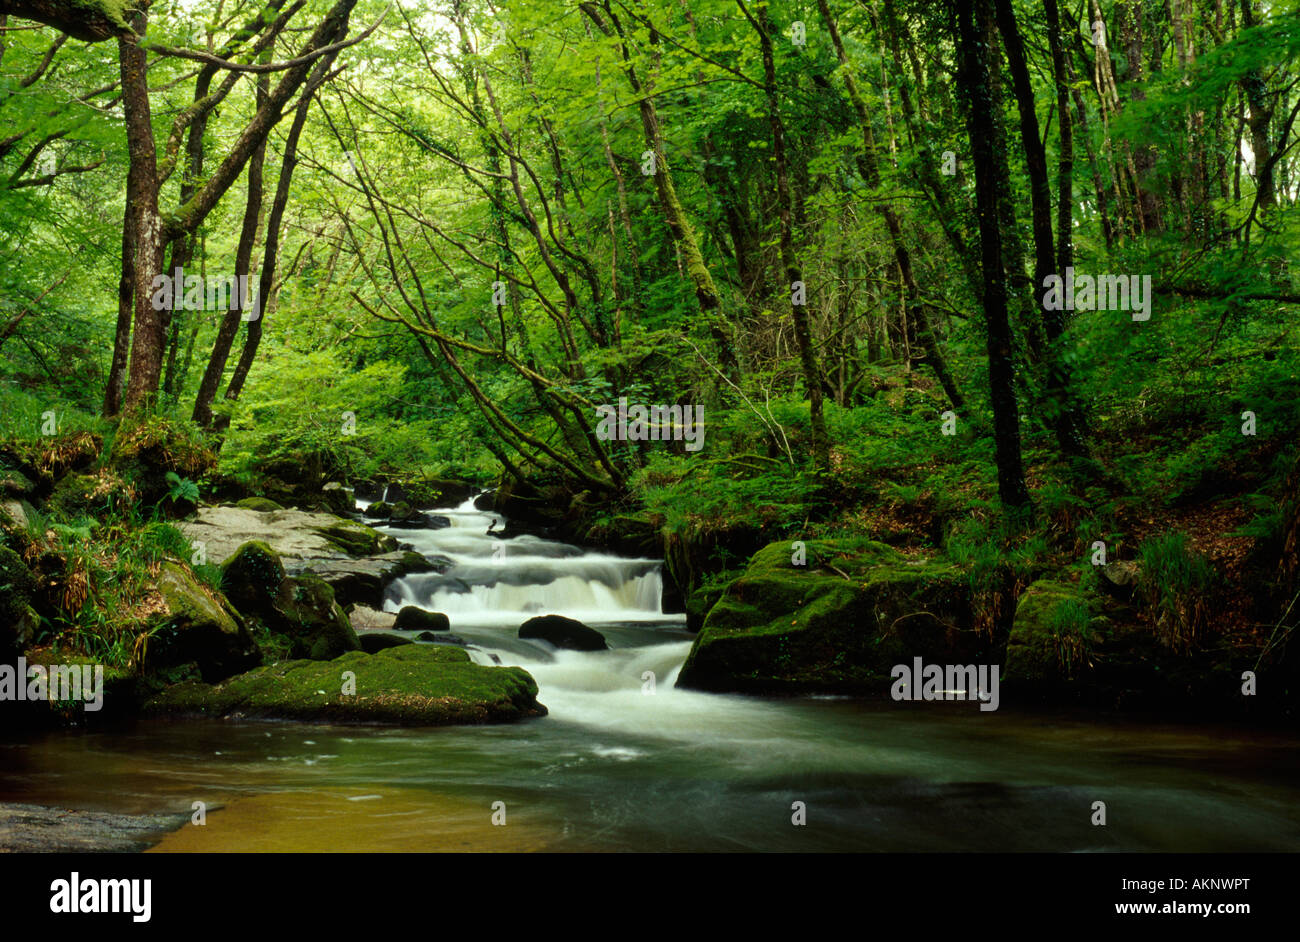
(198, 627)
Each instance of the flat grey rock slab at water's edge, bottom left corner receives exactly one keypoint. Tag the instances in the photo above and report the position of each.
(37, 830)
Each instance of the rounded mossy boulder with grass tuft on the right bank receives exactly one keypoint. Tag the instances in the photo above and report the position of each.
(1055, 636)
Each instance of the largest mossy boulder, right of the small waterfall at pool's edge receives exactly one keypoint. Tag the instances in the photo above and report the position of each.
(835, 624)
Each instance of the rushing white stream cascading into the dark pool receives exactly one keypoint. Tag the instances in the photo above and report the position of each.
(621, 765)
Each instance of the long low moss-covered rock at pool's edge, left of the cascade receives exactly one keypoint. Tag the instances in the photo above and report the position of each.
(413, 685)
